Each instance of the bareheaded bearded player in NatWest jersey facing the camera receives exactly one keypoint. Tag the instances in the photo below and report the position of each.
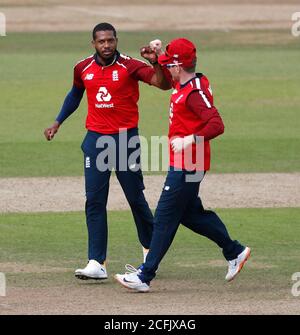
(110, 80)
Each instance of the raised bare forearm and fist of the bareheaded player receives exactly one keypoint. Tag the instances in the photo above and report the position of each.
(159, 79)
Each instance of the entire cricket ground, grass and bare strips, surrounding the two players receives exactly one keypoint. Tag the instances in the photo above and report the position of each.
(248, 52)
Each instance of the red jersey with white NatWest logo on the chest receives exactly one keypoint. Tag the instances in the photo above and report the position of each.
(112, 91)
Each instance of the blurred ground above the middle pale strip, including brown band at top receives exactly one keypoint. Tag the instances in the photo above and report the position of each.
(245, 48)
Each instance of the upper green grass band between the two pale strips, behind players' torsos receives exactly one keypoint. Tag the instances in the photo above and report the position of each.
(254, 75)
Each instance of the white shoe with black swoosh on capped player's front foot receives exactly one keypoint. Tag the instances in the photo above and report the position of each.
(131, 279)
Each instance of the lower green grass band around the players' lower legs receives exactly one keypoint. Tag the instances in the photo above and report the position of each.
(59, 241)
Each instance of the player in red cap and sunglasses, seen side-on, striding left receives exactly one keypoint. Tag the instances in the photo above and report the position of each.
(194, 121)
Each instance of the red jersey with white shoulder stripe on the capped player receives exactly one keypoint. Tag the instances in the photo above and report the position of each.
(185, 121)
